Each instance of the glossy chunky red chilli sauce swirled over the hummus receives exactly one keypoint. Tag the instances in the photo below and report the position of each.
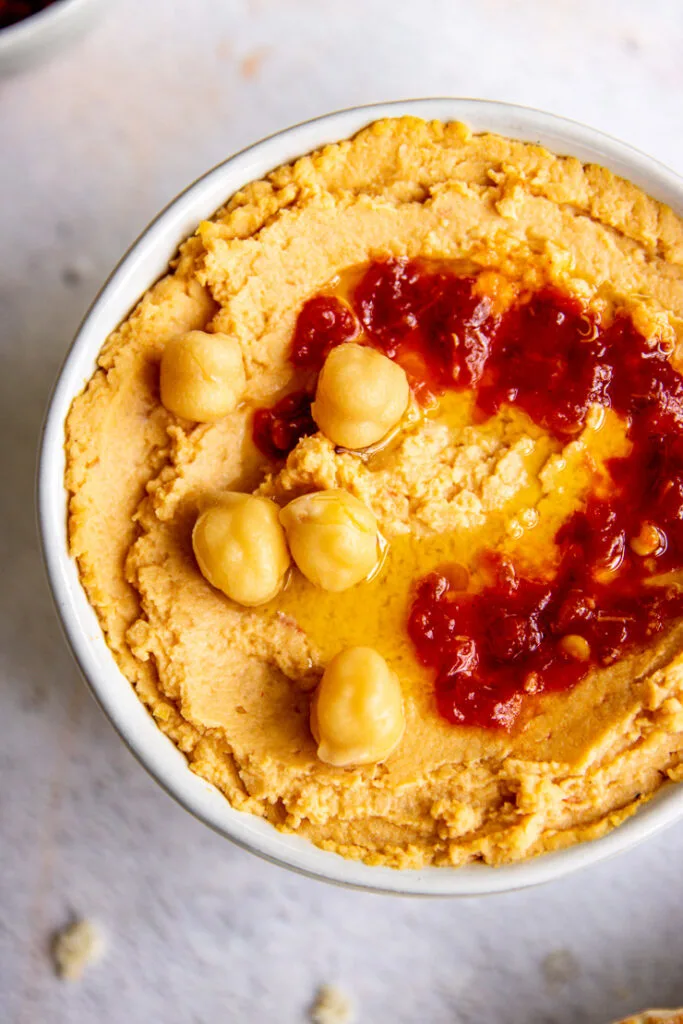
(492, 650)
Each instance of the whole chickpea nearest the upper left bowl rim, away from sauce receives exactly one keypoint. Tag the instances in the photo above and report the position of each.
(202, 376)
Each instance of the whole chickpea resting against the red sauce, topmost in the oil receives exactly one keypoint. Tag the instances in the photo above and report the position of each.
(361, 396)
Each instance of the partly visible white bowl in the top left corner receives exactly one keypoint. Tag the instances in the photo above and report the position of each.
(45, 34)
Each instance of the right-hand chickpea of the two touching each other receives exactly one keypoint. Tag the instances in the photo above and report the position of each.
(333, 538)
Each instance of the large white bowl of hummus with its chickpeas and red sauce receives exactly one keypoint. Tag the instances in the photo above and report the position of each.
(361, 495)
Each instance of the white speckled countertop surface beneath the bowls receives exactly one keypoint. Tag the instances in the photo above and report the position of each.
(92, 147)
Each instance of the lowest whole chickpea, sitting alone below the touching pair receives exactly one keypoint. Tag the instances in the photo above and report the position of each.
(358, 712)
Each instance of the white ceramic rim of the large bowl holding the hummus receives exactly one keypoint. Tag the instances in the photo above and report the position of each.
(141, 268)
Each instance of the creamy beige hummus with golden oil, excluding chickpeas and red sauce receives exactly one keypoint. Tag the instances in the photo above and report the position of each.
(231, 686)
